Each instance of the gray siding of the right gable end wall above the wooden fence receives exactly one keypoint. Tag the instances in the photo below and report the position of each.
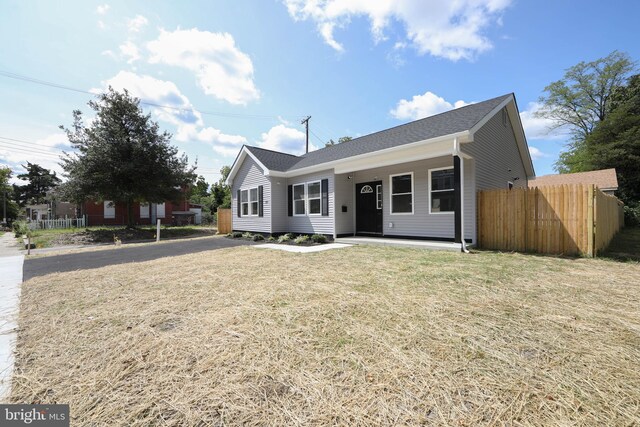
(495, 151)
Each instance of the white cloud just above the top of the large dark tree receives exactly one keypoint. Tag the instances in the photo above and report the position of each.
(159, 92)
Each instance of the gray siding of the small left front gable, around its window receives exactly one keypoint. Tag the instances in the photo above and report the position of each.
(250, 175)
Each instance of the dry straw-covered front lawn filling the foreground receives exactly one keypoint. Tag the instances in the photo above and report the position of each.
(357, 336)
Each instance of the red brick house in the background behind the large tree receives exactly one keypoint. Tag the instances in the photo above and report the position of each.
(109, 213)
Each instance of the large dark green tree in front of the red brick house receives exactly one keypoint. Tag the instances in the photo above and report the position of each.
(122, 156)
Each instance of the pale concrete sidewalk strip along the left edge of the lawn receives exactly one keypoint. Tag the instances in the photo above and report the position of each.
(11, 261)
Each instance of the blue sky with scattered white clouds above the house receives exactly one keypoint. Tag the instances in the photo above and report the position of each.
(226, 73)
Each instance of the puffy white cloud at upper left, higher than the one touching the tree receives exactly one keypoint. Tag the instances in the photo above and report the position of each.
(221, 69)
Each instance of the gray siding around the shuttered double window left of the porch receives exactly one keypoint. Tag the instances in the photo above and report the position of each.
(310, 224)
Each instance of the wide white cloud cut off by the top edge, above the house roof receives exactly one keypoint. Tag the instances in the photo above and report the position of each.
(447, 29)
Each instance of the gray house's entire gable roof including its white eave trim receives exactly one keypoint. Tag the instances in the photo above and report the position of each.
(450, 123)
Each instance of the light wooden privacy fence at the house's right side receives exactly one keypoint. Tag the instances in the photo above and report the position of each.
(565, 219)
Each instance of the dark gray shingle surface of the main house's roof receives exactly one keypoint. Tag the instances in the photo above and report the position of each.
(446, 123)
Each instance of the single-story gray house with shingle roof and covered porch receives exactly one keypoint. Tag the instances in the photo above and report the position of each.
(417, 180)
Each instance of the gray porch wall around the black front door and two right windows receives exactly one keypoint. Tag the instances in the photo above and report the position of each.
(421, 223)
